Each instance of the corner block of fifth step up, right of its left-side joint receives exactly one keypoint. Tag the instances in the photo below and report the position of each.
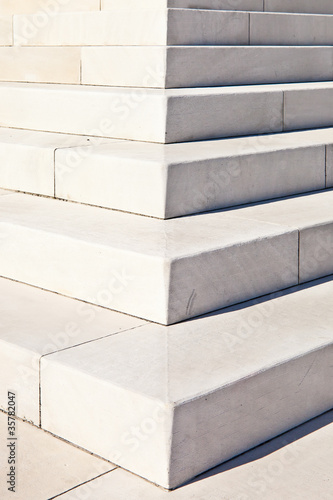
(175, 67)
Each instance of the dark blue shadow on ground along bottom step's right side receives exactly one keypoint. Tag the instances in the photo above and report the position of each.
(271, 446)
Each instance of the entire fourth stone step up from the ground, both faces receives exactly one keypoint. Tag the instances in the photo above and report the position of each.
(166, 116)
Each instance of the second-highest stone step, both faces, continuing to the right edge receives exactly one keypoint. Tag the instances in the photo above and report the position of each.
(174, 27)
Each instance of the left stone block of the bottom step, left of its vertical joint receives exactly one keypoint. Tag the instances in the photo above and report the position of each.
(34, 323)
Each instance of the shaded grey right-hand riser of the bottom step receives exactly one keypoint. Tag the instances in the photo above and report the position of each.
(242, 412)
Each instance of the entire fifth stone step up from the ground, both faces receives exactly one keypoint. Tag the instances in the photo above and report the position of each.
(166, 67)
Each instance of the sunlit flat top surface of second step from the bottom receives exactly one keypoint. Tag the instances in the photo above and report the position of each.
(170, 239)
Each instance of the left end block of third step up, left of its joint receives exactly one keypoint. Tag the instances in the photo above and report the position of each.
(27, 158)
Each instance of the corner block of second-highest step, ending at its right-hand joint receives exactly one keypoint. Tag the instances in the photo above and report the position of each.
(154, 27)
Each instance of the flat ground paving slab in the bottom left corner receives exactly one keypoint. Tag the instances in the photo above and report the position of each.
(45, 466)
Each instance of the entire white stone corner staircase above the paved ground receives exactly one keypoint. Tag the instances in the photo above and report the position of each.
(166, 224)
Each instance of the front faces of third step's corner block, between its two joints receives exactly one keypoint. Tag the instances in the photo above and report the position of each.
(189, 187)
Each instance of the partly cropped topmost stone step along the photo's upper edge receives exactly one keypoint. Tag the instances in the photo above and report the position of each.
(296, 6)
